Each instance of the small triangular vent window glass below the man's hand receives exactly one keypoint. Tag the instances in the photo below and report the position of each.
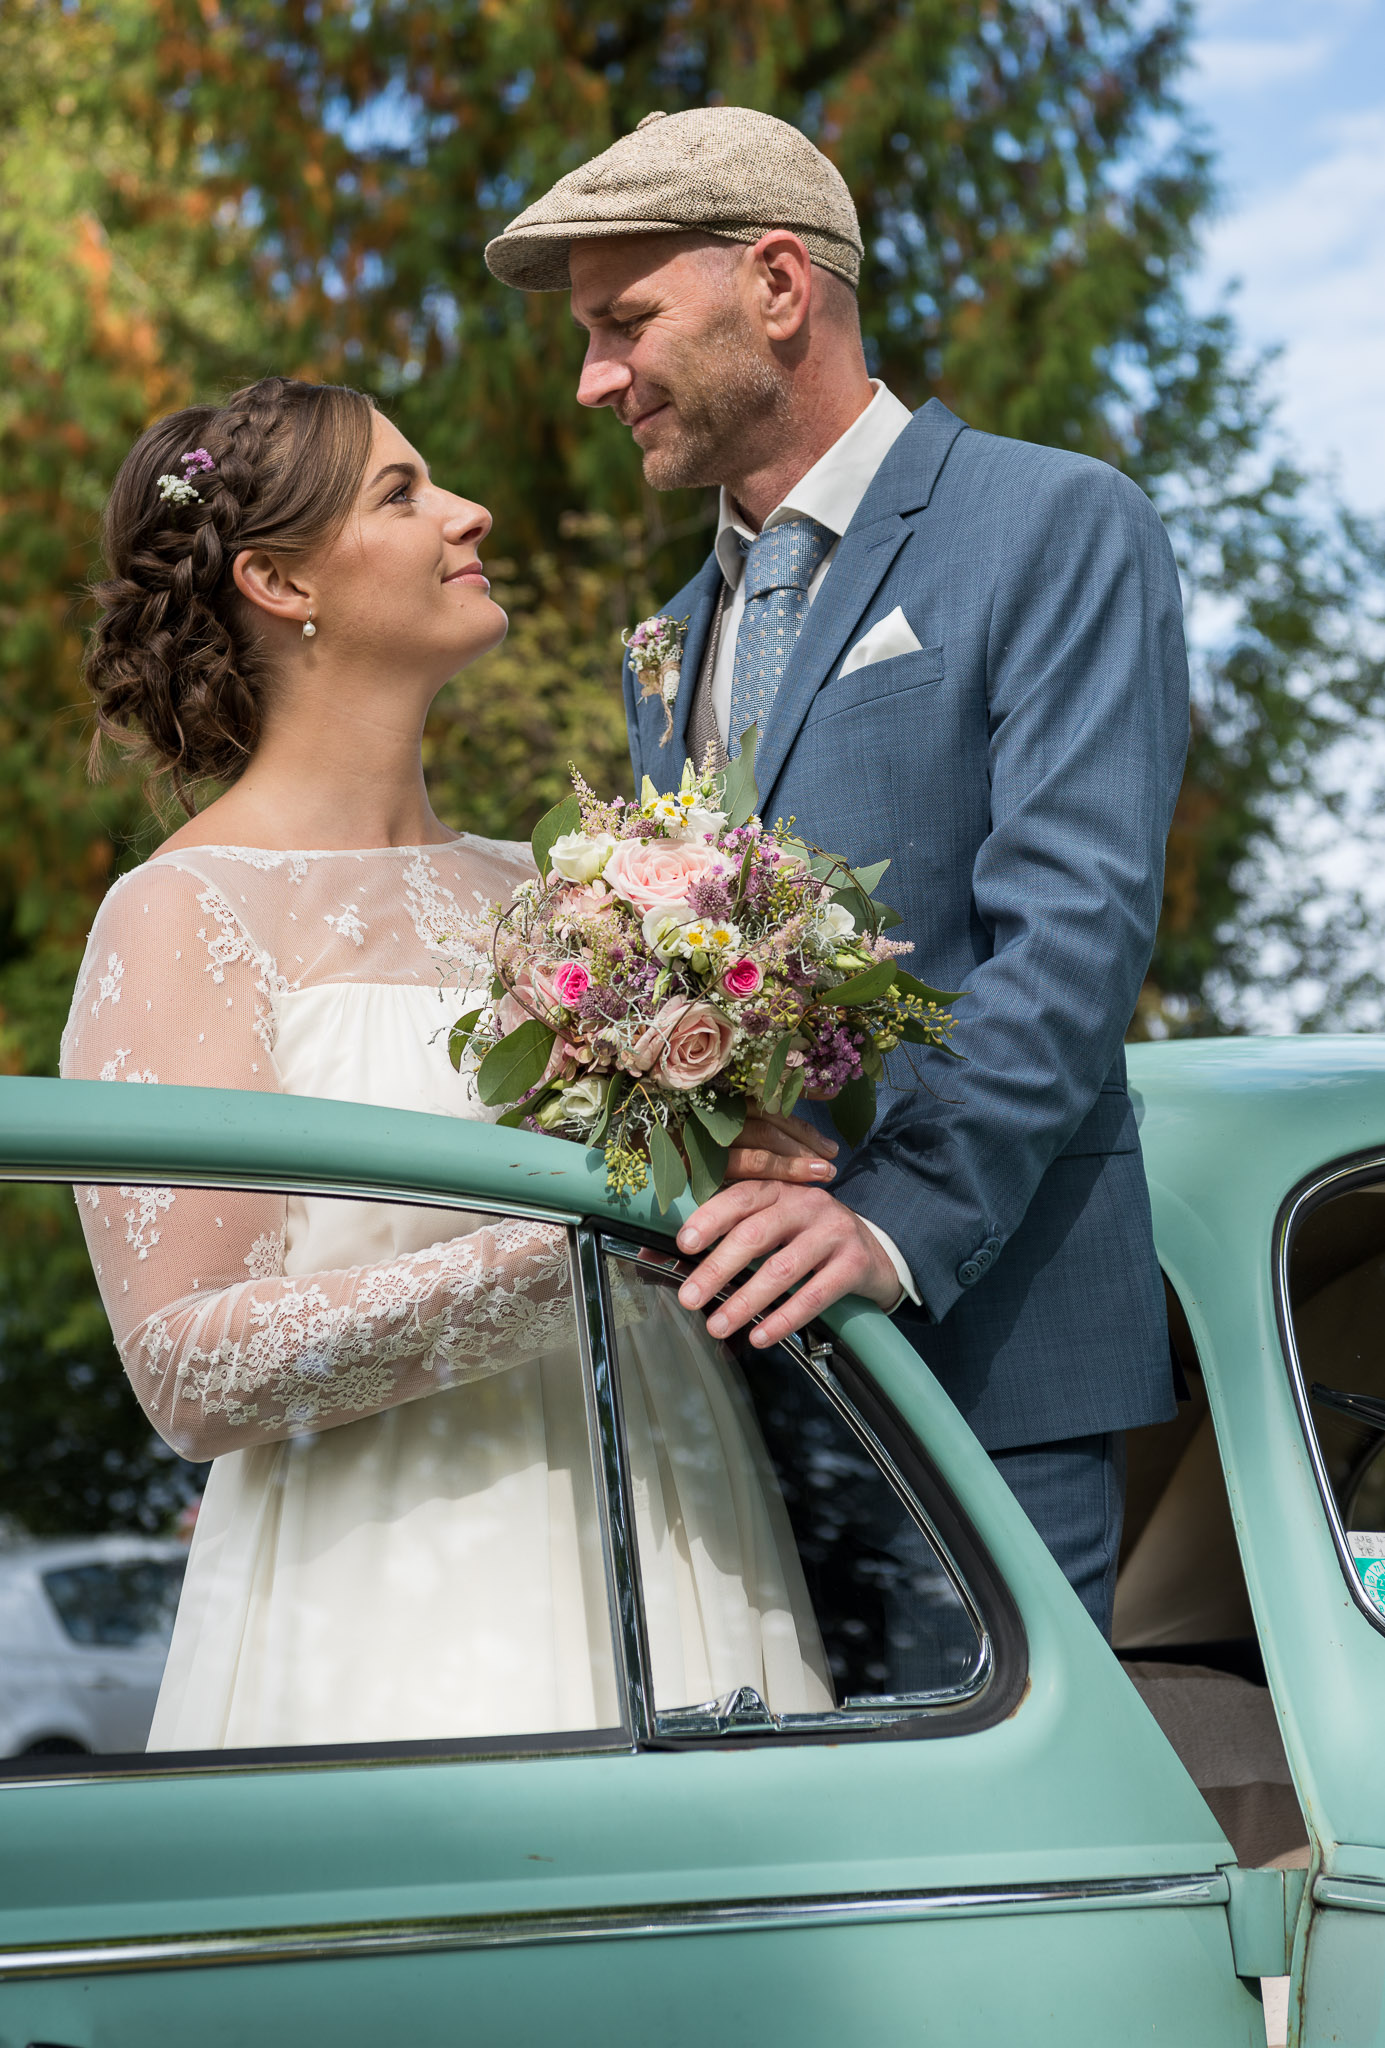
(786, 1576)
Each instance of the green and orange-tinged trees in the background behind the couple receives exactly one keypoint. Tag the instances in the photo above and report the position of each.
(194, 194)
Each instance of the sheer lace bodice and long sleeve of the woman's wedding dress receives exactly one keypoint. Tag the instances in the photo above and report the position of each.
(233, 968)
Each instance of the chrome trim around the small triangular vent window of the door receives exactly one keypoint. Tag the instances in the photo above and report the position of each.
(878, 1717)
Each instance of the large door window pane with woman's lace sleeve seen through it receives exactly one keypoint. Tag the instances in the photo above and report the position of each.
(290, 1471)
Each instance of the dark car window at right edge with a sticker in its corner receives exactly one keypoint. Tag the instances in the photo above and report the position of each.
(1337, 1308)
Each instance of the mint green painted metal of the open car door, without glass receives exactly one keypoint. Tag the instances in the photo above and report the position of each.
(1075, 1789)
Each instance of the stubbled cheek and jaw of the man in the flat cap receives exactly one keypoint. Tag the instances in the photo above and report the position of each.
(726, 396)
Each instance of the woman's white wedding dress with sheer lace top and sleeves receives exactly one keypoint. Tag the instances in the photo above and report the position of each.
(398, 1539)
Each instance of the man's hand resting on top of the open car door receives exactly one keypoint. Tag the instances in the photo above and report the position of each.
(812, 1250)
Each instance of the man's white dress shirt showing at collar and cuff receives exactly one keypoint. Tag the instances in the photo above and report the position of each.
(831, 495)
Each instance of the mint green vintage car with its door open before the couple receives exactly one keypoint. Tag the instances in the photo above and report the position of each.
(995, 1834)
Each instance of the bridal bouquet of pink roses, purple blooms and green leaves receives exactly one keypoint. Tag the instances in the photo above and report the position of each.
(679, 966)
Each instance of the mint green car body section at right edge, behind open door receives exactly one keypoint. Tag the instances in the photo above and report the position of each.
(1267, 1170)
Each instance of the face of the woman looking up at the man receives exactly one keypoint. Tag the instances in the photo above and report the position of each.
(403, 585)
